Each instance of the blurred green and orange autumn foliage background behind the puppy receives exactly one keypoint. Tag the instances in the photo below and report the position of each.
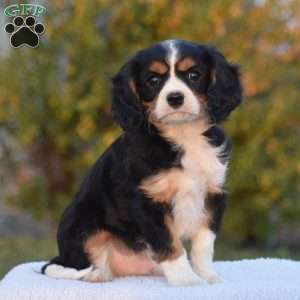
(55, 114)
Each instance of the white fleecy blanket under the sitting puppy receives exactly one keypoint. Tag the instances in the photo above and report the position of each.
(260, 279)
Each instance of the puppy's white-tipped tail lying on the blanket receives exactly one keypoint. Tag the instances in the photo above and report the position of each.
(56, 270)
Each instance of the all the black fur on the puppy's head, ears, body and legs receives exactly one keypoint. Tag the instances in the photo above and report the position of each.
(109, 198)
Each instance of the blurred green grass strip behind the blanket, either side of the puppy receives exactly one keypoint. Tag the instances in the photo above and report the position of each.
(18, 250)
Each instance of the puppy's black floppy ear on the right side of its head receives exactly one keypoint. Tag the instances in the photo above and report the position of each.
(225, 92)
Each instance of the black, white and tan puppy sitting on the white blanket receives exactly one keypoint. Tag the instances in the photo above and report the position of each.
(162, 181)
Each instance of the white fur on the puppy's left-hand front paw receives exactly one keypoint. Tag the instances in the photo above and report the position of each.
(180, 272)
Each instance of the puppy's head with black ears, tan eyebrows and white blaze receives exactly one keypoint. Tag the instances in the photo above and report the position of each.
(175, 82)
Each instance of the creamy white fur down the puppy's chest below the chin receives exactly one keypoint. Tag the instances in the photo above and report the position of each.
(202, 173)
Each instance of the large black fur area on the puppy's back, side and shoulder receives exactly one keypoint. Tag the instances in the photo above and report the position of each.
(109, 199)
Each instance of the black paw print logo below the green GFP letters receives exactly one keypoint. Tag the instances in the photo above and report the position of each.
(24, 32)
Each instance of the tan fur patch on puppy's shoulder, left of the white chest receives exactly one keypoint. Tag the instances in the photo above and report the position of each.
(161, 187)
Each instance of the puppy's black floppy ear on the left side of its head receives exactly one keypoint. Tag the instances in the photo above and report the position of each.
(126, 109)
